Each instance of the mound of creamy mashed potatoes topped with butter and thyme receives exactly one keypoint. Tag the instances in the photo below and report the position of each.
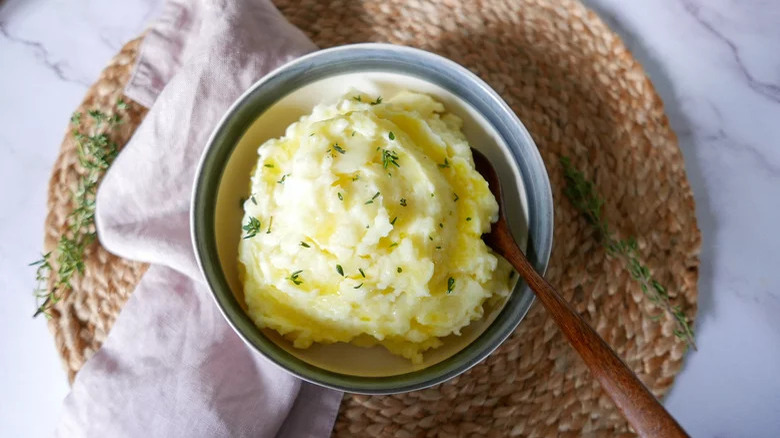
(364, 226)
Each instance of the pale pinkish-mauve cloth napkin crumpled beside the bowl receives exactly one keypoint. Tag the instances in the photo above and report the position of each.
(171, 365)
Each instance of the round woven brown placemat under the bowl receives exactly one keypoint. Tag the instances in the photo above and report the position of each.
(580, 94)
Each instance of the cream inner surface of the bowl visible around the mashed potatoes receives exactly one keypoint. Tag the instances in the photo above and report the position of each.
(234, 186)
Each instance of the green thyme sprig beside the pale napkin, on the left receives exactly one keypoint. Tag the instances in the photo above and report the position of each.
(95, 151)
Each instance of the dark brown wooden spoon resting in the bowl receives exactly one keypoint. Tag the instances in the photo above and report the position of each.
(645, 414)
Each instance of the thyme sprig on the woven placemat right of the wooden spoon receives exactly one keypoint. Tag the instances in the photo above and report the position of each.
(583, 196)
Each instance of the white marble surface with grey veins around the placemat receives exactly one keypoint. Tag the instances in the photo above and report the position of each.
(716, 64)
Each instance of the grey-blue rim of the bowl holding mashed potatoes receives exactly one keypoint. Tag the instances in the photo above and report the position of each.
(521, 147)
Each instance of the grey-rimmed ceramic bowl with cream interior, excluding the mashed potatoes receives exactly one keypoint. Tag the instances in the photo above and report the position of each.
(281, 98)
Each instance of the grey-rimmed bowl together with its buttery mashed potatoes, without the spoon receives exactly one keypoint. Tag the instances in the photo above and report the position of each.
(337, 218)
